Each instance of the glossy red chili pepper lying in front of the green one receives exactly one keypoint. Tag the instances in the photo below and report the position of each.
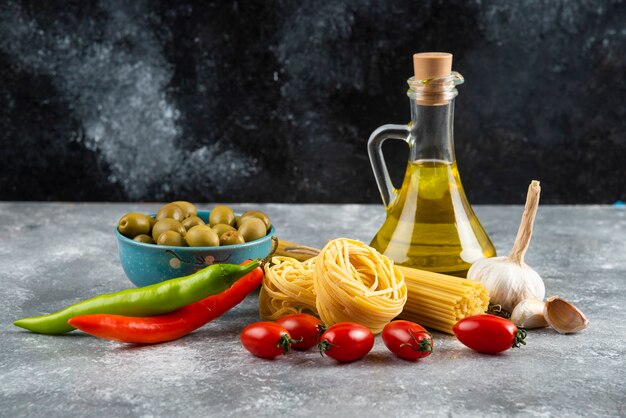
(168, 327)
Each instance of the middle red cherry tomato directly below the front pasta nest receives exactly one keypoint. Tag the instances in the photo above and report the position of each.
(346, 341)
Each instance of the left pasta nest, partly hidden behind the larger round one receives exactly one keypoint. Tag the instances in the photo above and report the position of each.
(287, 288)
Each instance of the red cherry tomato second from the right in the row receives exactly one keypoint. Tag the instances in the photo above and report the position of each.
(407, 340)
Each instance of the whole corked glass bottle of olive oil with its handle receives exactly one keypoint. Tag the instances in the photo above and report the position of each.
(430, 224)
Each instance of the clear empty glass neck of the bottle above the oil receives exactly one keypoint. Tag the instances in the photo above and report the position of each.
(432, 132)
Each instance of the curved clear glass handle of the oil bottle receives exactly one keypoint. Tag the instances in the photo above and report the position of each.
(377, 159)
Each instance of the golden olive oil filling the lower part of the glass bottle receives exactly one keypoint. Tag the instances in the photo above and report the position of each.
(430, 225)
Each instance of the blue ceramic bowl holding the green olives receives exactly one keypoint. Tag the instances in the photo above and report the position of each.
(146, 264)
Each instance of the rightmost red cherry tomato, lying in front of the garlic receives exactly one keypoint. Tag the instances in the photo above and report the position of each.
(489, 333)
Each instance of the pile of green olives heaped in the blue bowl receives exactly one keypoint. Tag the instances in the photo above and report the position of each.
(178, 224)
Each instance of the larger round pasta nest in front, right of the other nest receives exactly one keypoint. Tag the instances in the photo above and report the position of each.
(354, 282)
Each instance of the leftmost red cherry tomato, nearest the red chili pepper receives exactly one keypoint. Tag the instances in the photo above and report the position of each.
(266, 339)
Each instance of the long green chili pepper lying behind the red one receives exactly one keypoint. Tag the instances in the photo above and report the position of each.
(156, 299)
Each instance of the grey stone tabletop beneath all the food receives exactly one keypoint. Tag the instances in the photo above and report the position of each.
(52, 255)
